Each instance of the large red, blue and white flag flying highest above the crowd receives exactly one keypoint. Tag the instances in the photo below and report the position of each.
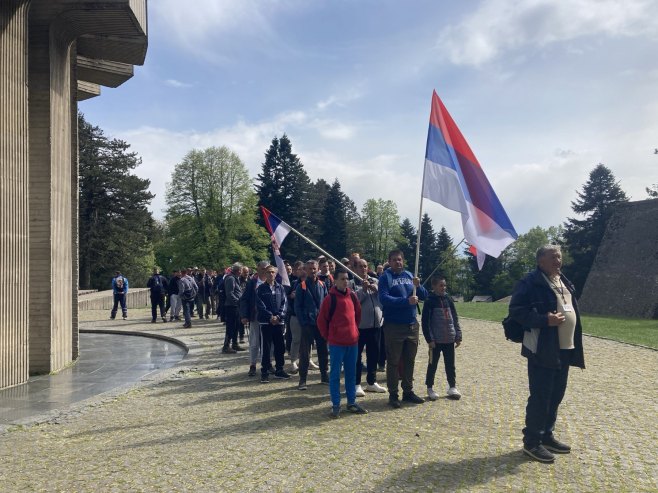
(454, 178)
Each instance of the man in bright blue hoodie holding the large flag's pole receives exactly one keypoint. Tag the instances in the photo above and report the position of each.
(400, 306)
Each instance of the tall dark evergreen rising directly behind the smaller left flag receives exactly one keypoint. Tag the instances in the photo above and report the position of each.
(284, 188)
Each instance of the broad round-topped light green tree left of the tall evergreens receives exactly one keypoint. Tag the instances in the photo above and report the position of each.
(211, 211)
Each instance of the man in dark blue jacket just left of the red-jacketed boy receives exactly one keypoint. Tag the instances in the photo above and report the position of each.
(308, 298)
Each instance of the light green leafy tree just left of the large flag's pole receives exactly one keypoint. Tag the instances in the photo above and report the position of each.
(381, 228)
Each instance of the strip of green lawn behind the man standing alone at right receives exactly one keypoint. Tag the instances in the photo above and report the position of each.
(632, 330)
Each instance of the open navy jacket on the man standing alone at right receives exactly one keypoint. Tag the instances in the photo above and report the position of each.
(531, 302)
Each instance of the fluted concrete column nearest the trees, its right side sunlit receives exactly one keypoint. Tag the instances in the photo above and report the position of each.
(51, 254)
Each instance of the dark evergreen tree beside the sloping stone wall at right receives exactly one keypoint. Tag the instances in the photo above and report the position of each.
(596, 201)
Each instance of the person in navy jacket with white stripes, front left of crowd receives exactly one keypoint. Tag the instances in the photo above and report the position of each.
(271, 312)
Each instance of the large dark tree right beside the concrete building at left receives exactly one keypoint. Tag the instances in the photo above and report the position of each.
(115, 225)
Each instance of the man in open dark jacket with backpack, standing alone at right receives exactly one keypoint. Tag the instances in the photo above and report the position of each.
(545, 304)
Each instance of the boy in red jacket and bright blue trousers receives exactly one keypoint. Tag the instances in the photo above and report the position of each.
(338, 323)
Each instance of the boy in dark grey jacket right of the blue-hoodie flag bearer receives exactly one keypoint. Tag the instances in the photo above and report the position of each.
(443, 334)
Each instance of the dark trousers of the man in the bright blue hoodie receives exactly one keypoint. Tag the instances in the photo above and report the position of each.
(401, 349)
